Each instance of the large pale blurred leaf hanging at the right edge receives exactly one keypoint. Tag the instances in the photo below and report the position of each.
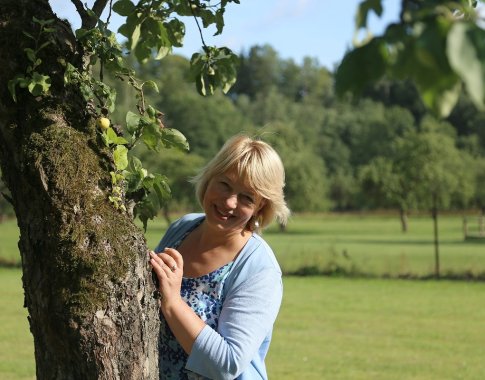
(464, 57)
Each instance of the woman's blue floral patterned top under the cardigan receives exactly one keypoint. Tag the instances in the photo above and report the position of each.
(204, 295)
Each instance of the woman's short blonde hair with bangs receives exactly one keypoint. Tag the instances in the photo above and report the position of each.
(260, 168)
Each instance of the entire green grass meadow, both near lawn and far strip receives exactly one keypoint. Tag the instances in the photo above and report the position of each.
(353, 324)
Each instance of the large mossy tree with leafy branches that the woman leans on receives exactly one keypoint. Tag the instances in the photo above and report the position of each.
(74, 183)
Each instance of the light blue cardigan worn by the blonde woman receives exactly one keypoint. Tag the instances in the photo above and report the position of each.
(253, 291)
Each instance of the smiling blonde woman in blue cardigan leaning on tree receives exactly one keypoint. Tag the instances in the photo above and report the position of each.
(219, 281)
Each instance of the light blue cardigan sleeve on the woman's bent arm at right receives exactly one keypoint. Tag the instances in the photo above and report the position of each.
(246, 319)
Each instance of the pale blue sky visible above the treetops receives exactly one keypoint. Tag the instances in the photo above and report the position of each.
(321, 29)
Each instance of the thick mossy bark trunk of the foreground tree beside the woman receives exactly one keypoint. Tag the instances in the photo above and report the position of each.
(86, 279)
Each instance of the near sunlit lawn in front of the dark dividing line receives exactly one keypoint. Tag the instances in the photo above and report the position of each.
(333, 328)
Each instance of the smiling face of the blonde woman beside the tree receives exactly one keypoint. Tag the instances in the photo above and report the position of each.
(229, 204)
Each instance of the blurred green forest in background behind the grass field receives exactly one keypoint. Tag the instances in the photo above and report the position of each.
(383, 150)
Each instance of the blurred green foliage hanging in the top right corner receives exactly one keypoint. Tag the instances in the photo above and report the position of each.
(438, 45)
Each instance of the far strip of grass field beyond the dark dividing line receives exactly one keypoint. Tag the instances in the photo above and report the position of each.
(354, 244)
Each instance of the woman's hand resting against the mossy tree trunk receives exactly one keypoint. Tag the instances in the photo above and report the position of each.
(168, 266)
